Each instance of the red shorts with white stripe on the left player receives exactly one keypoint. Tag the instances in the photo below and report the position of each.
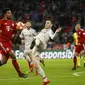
(6, 47)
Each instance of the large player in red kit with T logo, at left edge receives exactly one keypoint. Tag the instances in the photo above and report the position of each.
(7, 30)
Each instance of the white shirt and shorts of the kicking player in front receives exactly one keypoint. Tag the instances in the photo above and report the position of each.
(41, 41)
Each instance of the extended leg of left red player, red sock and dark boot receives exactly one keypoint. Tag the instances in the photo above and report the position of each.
(16, 66)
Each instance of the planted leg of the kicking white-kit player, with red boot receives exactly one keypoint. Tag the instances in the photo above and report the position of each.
(36, 60)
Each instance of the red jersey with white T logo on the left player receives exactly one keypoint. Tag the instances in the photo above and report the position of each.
(8, 28)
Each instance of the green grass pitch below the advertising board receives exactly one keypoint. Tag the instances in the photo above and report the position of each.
(57, 70)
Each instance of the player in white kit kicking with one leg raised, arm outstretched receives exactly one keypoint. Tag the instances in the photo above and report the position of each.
(40, 44)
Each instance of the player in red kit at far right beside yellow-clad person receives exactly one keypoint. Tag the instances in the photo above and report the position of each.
(79, 47)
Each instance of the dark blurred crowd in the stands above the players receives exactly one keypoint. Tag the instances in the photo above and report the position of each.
(63, 12)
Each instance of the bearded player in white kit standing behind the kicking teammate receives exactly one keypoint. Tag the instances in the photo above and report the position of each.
(27, 34)
